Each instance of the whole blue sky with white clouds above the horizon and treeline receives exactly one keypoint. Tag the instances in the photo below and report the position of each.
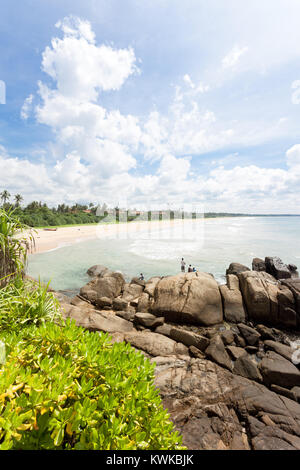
(152, 103)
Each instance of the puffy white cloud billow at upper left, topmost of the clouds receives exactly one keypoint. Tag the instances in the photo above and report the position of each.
(81, 68)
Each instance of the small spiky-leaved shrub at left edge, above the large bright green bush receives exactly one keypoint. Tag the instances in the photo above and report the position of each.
(23, 303)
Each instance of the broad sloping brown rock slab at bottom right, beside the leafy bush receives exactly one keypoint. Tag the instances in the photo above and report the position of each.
(214, 409)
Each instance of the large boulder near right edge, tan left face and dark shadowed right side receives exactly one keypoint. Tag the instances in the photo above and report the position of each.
(267, 301)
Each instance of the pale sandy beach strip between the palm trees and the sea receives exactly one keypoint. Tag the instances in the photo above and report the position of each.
(46, 240)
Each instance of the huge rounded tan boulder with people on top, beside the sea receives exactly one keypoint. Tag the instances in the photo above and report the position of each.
(189, 298)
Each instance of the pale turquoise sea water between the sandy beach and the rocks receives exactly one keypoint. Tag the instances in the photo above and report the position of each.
(210, 245)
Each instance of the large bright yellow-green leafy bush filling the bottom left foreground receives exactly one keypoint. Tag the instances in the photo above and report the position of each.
(67, 388)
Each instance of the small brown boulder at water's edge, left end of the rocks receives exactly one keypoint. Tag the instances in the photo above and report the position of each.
(108, 285)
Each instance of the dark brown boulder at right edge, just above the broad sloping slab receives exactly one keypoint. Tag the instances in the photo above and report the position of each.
(279, 371)
